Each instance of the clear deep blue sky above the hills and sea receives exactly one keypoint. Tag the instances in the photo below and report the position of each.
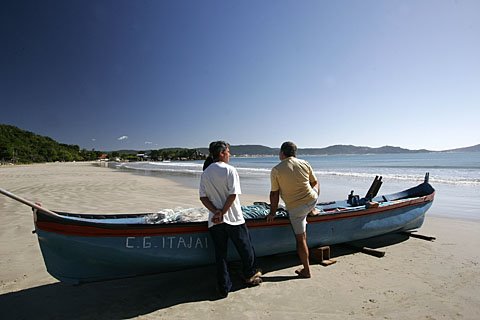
(151, 74)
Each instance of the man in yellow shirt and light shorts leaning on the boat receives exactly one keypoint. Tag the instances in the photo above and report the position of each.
(294, 181)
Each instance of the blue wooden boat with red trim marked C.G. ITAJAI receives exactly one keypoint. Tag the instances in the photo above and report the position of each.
(79, 248)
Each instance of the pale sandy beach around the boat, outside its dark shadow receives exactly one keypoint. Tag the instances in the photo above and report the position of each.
(416, 279)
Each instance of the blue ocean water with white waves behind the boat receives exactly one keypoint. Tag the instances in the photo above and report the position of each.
(455, 176)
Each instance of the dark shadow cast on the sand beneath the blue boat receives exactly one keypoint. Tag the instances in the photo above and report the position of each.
(128, 298)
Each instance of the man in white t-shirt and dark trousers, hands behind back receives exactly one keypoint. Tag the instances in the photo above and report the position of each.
(219, 190)
